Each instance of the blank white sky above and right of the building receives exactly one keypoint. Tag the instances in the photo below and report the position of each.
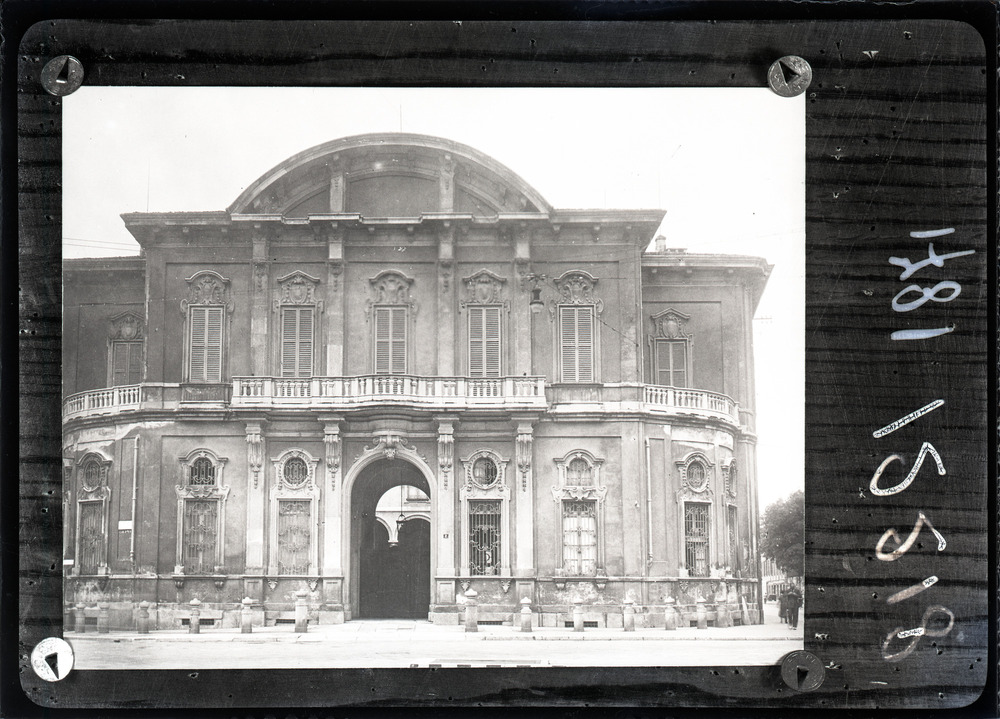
(727, 165)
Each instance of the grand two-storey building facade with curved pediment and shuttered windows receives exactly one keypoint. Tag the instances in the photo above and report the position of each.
(562, 414)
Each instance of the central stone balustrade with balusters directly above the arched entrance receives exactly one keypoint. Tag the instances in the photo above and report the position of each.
(409, 390)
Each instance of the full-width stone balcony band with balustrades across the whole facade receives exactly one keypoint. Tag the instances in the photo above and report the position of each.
(431, 393)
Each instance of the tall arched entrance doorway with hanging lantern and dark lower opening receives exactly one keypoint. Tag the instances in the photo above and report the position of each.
(390, 542)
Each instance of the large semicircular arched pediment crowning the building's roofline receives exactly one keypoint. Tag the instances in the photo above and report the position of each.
(389, 175)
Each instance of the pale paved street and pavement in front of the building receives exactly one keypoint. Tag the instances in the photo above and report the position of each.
(404, 643)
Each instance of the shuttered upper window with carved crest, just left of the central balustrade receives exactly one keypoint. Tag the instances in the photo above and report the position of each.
(206, 306)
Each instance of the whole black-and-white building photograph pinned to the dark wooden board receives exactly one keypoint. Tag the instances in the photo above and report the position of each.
(348, 371)
